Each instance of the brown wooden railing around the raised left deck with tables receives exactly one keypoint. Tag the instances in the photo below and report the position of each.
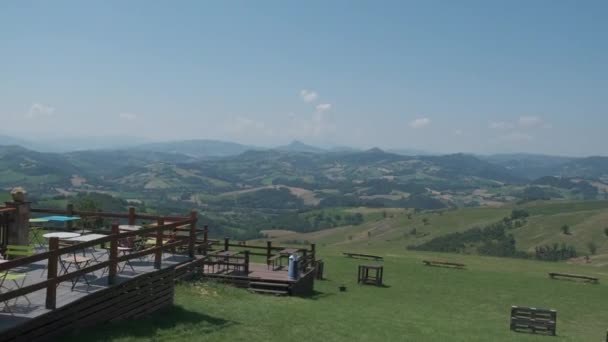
(53, 255)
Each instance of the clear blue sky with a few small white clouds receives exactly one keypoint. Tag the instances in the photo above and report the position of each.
(440, 76)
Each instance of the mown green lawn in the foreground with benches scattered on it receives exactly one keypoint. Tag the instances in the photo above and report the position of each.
(419, 304)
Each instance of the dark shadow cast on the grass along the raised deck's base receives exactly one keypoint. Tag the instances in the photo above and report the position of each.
(148, 328)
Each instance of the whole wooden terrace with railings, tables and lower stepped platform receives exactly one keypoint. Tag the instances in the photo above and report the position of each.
(115, 284)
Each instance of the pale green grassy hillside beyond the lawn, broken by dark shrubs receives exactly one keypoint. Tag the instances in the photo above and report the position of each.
(393, 230)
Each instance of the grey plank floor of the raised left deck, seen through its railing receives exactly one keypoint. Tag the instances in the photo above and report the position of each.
(23, 311)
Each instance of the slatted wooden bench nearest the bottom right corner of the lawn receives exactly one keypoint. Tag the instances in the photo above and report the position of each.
(533, 319)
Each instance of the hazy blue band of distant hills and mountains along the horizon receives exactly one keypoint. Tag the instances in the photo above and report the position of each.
(372, 177)
